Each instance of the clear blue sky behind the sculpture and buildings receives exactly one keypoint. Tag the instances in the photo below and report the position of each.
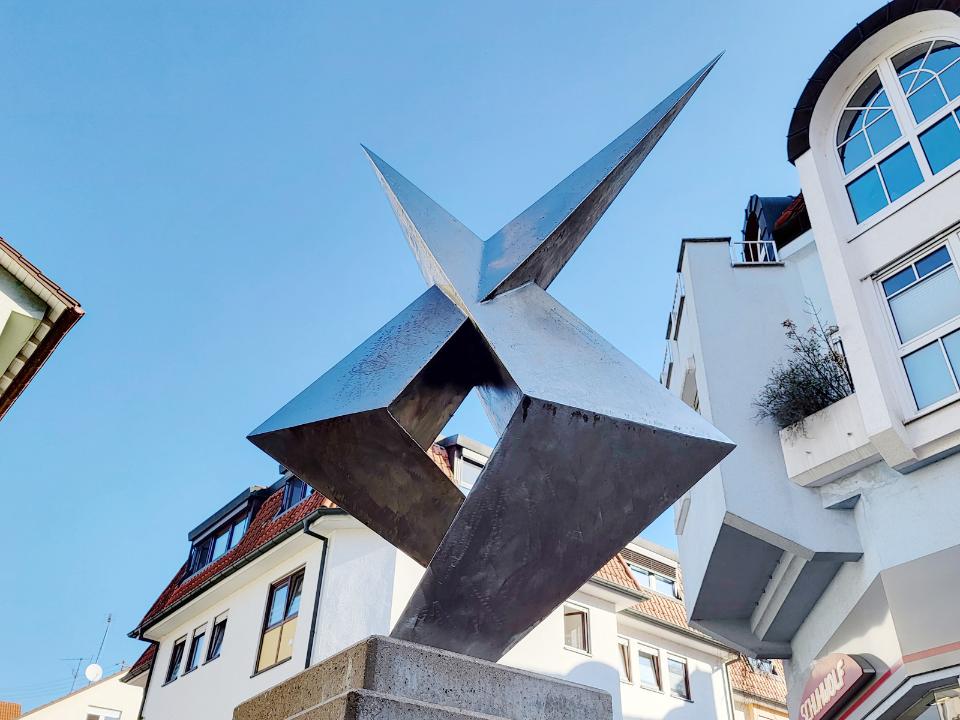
(192, 173)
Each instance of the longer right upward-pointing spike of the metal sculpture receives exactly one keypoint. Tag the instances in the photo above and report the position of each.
(536, 244)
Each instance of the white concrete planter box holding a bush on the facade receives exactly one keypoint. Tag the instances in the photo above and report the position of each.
(833, 444)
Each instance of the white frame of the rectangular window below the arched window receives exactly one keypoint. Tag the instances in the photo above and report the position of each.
(935, 334)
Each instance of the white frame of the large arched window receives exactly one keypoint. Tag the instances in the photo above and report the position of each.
(910, 131)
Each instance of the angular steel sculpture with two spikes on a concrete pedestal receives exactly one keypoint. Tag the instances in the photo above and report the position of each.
(591, 448)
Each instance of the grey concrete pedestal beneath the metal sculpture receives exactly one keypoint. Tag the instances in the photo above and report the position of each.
(385, 679)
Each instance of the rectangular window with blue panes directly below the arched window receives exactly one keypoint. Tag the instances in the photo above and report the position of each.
(924, 302)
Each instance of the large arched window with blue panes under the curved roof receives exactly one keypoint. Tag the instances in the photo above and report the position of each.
(900, 127)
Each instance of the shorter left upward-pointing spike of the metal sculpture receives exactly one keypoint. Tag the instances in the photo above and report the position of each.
(447, 252)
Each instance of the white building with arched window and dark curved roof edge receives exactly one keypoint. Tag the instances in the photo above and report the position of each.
(837, 538)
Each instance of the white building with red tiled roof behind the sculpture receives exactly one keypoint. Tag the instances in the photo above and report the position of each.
(280, 579)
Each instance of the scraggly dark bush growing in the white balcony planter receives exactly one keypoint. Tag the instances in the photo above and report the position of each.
(814, 376)
